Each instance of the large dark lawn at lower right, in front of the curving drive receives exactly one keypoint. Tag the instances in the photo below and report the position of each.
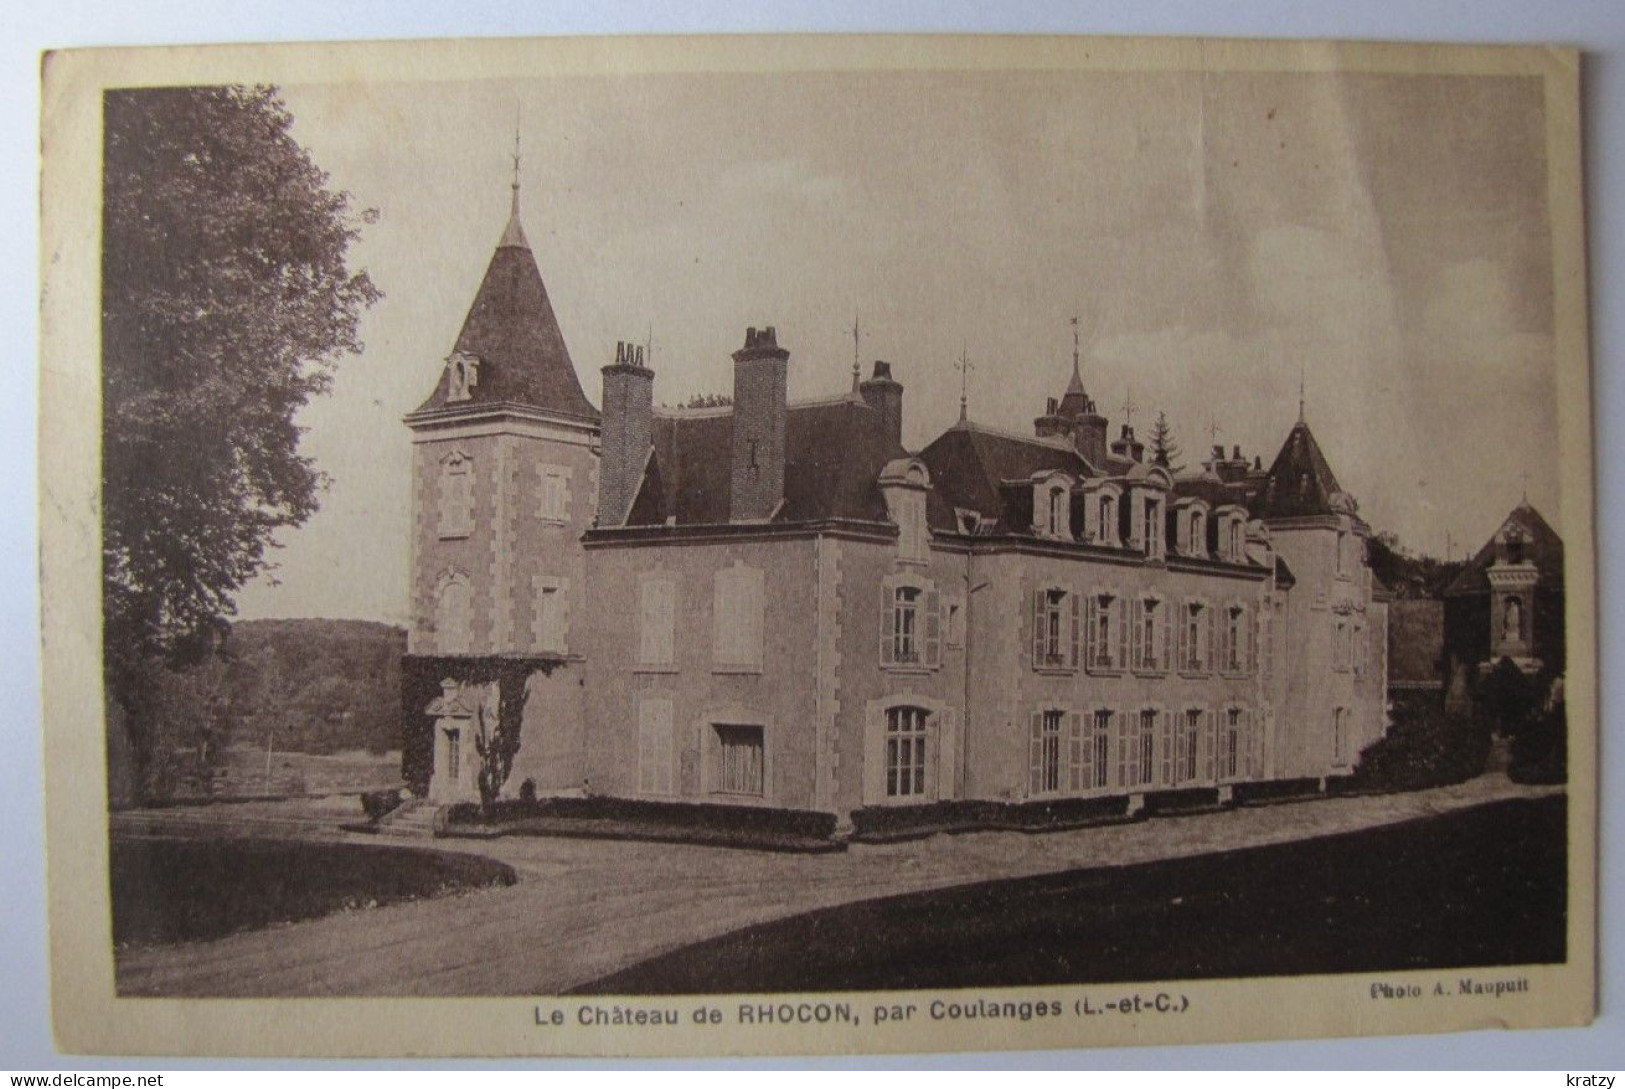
(1476, 888)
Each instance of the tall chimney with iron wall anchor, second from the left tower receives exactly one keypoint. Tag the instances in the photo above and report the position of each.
(758, 471)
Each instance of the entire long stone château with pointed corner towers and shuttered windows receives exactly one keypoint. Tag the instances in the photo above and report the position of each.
(776, 604)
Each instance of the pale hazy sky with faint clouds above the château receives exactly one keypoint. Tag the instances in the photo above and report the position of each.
(1218, 235)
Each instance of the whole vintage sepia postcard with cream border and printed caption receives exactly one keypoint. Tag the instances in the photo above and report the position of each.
(804, 545)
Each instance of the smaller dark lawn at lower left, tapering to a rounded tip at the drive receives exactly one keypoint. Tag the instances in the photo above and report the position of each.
(188, 890)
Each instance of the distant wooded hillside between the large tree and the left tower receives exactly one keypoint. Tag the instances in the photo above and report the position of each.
(313, 685)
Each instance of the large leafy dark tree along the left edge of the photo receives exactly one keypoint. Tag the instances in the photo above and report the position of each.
(227, 303)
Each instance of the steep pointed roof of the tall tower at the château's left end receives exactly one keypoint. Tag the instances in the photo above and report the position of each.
(516, 336)
